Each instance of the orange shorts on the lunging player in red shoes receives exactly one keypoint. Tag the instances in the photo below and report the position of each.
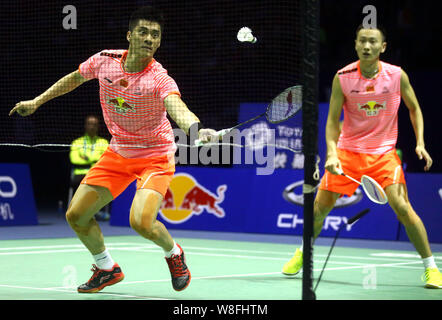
(116, 173)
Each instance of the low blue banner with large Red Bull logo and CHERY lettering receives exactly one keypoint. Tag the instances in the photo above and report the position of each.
(238, 200)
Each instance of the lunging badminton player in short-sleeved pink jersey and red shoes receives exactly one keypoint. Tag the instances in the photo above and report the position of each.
(136, 94)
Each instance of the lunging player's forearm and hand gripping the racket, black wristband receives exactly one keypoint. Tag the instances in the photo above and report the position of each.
(184, 118)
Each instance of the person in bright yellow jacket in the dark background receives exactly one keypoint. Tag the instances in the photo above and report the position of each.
(85, 152)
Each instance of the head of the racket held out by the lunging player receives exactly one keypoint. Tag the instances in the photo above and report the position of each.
(285, 105)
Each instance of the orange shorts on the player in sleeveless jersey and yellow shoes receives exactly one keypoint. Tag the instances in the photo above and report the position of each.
(386, 169)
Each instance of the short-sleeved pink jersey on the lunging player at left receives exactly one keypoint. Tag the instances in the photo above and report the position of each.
(133, 104)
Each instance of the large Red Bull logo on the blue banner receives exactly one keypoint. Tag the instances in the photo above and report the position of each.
(186, 197)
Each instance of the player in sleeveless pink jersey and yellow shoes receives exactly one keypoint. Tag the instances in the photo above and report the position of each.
(369, 91)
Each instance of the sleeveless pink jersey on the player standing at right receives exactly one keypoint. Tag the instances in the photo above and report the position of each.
(370, 109)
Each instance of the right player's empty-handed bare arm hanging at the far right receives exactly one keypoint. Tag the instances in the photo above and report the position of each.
(417, 119)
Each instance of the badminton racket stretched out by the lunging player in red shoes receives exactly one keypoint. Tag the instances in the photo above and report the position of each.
(282, 107)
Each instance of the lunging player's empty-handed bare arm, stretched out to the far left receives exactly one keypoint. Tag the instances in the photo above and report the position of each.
(61, 87)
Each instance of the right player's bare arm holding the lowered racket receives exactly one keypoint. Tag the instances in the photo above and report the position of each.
(332, 128)
